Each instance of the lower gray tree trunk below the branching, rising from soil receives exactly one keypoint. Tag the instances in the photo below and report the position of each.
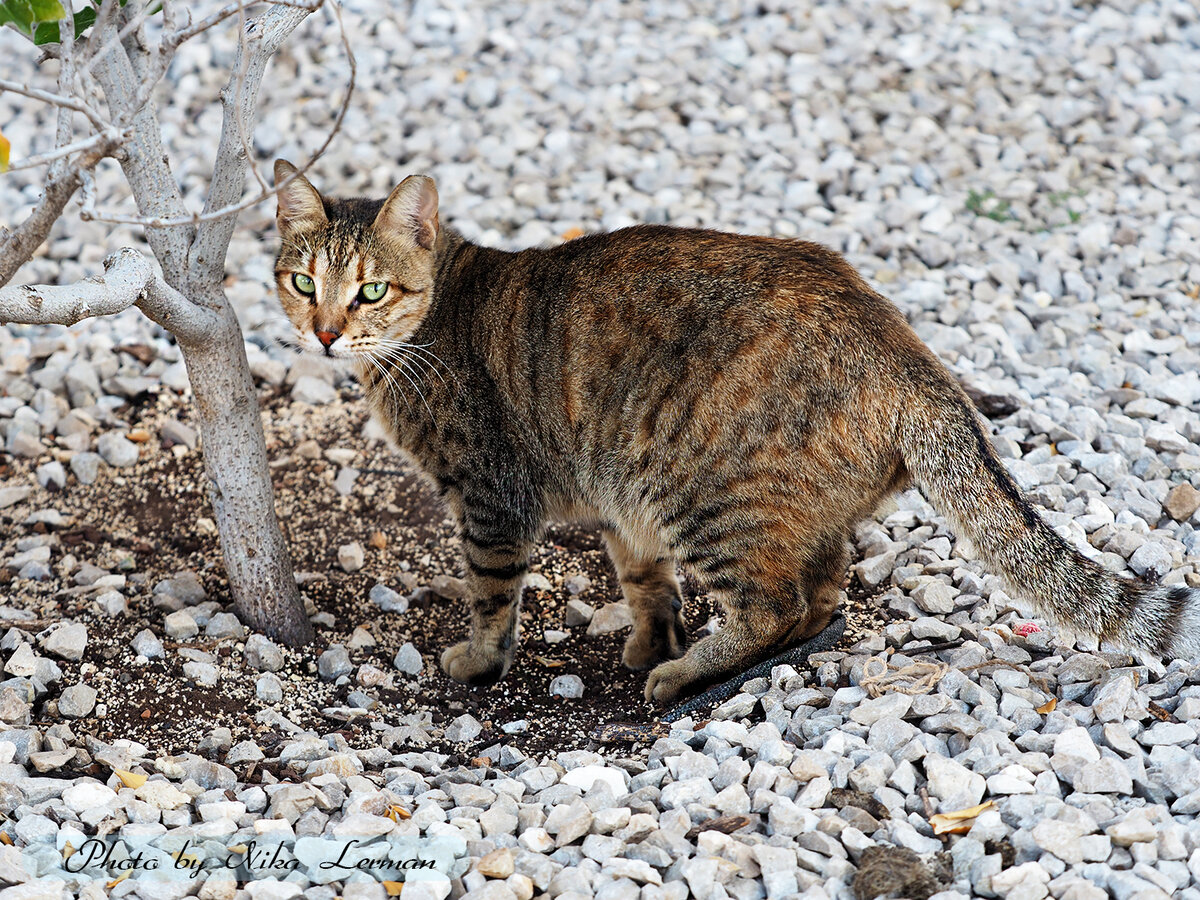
(261, 580)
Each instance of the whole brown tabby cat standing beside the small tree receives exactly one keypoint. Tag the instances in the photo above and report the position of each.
(728, 403)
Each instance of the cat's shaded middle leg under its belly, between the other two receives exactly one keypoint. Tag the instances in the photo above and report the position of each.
(651, 589)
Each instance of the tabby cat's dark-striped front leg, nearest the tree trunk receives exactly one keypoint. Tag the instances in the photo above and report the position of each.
(495, 578)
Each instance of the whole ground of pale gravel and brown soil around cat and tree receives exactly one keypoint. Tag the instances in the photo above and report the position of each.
(1018, 177)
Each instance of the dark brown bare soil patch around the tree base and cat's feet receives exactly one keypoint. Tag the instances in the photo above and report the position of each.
(149, 523)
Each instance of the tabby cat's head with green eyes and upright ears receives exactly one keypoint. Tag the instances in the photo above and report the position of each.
(355, 277)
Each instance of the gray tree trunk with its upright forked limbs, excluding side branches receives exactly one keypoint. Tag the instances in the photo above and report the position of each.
(239, 485)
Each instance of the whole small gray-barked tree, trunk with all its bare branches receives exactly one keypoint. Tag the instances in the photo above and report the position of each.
(188, 299)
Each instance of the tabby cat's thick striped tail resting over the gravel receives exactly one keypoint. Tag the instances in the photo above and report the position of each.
(950, 457)
